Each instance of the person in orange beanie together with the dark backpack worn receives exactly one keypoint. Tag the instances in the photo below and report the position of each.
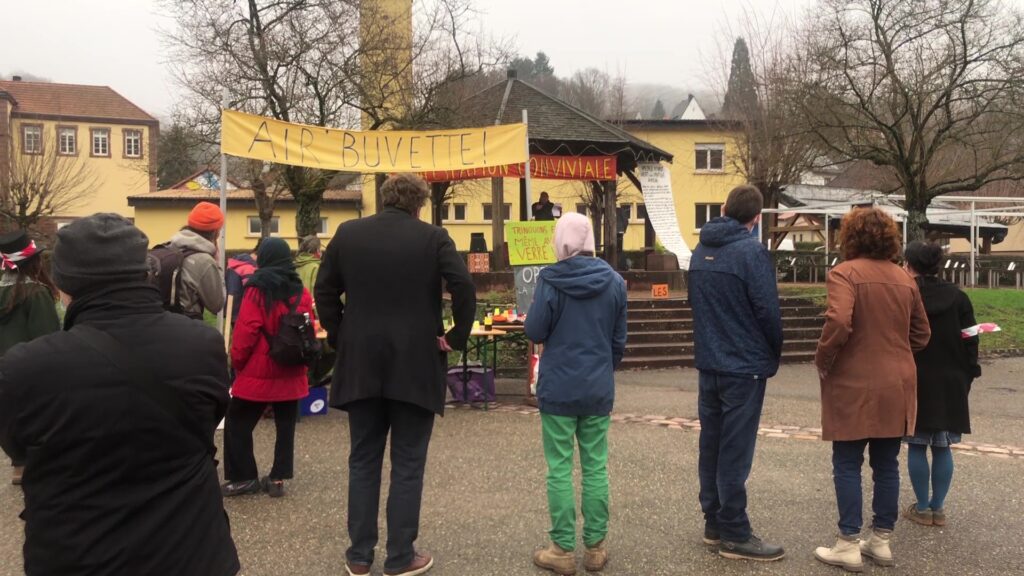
(186, 269)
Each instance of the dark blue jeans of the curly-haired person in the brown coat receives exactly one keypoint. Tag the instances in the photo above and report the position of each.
(848, 459)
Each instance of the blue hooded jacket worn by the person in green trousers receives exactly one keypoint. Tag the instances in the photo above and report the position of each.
(579, 314)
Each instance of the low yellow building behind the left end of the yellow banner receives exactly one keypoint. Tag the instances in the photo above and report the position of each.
(160, 215)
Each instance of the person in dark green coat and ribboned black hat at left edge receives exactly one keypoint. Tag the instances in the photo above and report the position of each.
(28, 300)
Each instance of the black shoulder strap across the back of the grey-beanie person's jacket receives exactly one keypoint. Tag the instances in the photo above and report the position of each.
(160, 393)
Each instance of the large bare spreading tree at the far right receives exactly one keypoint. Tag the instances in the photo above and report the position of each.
(932, 91)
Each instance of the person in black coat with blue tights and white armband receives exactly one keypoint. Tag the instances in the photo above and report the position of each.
(946, 371)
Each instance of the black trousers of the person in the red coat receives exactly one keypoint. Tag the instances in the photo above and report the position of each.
(243, 416)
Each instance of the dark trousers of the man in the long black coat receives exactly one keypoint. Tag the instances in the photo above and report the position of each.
(369, 424)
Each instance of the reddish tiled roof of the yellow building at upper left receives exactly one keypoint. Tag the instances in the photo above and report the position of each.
(47, 99)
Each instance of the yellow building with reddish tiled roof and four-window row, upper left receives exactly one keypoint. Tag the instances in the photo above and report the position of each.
(113, 140)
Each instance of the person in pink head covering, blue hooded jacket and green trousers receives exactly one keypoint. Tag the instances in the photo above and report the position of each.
(579, 314)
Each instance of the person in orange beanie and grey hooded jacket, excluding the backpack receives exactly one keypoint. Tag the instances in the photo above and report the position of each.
(202, 278)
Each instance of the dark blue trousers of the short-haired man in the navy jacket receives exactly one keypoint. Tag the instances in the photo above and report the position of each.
(731, 413)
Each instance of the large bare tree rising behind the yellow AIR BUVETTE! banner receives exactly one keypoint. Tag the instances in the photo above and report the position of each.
(326, 63)
